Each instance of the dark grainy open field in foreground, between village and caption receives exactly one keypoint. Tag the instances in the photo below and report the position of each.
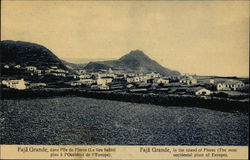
(78, 120)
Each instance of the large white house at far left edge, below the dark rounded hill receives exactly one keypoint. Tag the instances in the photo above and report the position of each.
(16, 84)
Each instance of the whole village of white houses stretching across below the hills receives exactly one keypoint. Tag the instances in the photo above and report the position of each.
(32, 77)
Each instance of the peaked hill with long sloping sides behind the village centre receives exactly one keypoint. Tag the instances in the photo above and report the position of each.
(135, 61)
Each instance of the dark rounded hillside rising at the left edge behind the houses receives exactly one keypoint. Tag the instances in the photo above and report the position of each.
(26, 53)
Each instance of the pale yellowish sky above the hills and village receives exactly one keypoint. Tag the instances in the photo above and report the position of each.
(200, 37)
